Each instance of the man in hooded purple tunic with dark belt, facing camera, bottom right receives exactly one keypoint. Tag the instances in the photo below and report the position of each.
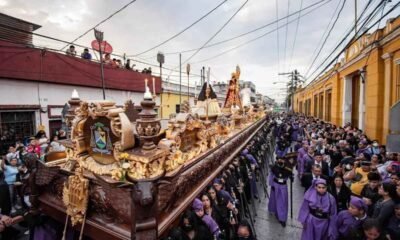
(318, 213)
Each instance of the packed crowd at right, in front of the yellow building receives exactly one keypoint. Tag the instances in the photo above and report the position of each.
(351, 183)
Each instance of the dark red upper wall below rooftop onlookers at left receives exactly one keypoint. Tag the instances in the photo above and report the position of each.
(32, 64)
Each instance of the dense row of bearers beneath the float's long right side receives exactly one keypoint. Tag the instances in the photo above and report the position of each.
(226, 208)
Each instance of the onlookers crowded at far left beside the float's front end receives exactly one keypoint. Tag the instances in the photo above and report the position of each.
(14, 200)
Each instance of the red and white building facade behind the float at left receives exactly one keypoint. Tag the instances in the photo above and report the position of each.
(36, 83)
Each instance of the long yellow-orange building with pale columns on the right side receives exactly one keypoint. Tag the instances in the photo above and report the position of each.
(360, 89)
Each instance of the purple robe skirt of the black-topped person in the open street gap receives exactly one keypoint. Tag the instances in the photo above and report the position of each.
(278, 200)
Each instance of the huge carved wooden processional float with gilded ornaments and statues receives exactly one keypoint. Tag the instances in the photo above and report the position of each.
(124, 177)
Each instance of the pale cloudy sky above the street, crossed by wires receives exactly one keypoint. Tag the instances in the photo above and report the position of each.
(146, 23)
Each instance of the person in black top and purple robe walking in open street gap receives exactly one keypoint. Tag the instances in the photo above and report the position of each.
(278, 201)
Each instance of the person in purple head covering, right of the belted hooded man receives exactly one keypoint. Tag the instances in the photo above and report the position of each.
(351, 219)
